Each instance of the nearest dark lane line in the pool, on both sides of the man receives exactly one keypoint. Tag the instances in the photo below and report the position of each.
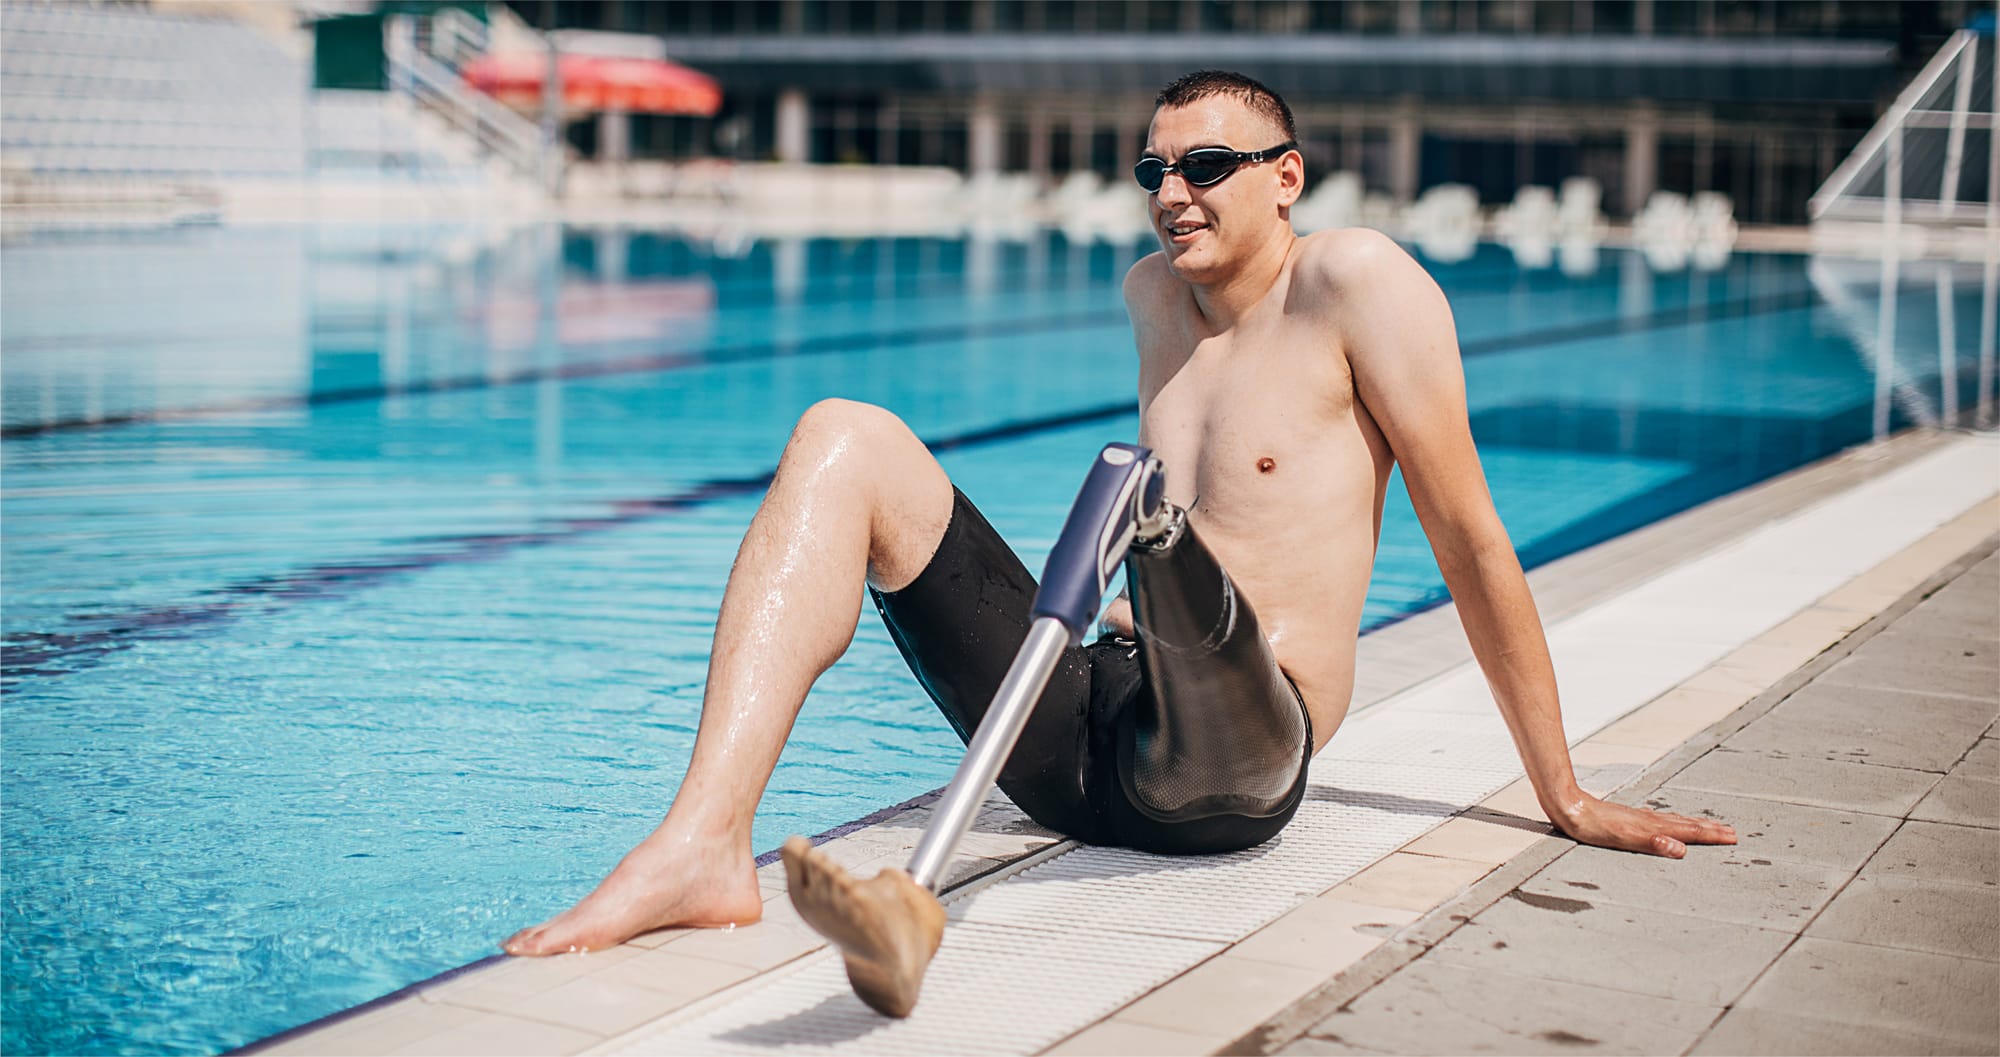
(33, 654)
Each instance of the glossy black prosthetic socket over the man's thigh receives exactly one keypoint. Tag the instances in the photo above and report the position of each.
(1223, 734)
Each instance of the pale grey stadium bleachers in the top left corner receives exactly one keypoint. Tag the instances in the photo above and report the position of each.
(125, 93)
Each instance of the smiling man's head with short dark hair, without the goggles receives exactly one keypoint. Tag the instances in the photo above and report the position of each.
(1211, 229)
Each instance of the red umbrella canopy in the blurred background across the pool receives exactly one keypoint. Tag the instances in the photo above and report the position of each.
(597, 83)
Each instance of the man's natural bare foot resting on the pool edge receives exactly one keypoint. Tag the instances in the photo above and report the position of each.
(653, 888)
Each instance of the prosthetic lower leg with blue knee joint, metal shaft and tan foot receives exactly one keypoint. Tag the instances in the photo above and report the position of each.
(889, 928)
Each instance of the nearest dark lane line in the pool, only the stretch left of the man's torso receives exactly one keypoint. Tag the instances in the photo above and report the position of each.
(65, 652)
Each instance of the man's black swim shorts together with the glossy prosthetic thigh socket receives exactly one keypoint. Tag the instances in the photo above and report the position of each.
(1191, 742)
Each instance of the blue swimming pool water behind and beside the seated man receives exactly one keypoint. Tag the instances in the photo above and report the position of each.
(359, 584)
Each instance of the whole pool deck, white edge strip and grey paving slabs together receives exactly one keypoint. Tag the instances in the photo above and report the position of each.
(1731, 660)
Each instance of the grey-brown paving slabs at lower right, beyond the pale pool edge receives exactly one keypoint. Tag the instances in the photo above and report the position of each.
(1859, 916)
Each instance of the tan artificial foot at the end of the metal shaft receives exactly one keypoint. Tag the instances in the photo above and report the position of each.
(887, 928)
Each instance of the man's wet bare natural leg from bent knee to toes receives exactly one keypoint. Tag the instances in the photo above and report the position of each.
(857, 495)
